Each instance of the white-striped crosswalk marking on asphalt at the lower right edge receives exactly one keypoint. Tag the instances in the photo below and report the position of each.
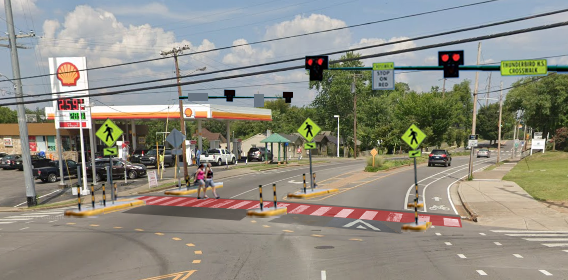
(551, 239)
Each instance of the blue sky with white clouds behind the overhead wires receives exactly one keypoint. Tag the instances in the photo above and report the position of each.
(114, 32)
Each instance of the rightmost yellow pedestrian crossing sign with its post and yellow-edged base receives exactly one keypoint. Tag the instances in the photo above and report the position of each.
(414, 137)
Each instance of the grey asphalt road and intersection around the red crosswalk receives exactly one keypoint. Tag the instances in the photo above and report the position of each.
(150, 242)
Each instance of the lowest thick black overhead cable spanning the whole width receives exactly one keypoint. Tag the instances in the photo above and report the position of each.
(449, 43)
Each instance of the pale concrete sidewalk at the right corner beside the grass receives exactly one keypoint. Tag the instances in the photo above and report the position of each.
(494, 202)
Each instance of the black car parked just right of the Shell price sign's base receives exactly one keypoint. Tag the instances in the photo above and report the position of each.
(133, 170)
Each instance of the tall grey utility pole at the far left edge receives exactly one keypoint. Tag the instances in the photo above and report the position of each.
(23, 126)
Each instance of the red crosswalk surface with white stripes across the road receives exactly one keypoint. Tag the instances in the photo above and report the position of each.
(308, 209)
